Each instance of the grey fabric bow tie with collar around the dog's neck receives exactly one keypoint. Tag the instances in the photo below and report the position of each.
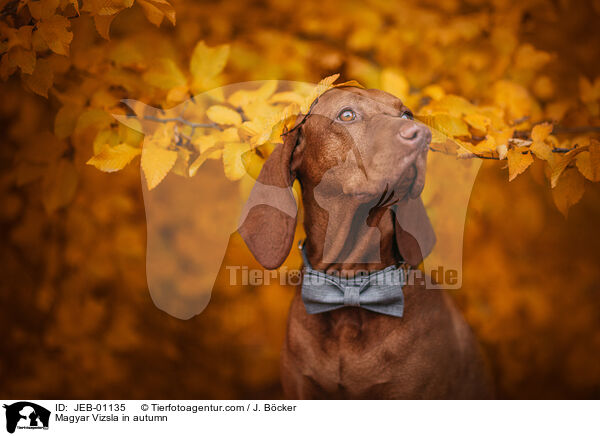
(379, 292)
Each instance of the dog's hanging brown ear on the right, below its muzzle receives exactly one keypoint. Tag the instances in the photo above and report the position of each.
(415, 237)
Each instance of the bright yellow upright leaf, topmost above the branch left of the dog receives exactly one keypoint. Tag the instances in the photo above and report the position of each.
(206, 63)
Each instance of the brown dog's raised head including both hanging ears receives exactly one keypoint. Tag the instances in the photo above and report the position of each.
(355, 145)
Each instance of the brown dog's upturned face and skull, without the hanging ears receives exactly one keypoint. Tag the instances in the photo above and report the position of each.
(367, 143)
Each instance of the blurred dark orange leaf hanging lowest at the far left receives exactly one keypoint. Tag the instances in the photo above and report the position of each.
(59, 185)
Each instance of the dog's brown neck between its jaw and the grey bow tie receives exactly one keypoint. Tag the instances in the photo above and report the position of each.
(345, 236)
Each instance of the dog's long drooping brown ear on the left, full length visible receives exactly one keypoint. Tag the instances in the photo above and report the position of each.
(268, 221)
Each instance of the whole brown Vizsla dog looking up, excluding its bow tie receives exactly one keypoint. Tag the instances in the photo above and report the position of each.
(360, 160)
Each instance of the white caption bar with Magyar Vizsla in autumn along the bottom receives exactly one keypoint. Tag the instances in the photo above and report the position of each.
(23, 417)
